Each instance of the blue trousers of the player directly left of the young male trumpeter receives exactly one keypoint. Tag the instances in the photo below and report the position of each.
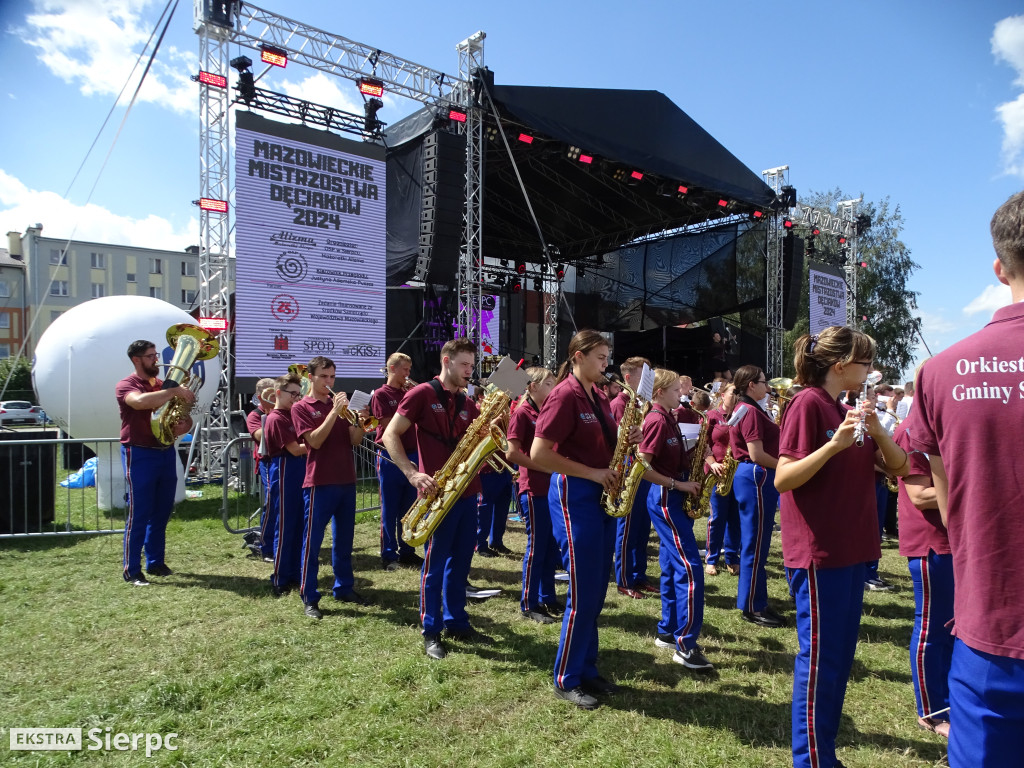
(285, 477)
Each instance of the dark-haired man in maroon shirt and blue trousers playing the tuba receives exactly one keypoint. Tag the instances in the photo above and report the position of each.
(151, 467)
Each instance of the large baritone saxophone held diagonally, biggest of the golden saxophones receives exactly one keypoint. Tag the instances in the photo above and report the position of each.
(481, 444)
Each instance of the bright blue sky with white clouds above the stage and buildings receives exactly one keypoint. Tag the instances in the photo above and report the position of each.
(920, 102)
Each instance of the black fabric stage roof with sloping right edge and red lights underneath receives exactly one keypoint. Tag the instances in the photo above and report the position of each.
(584, 209)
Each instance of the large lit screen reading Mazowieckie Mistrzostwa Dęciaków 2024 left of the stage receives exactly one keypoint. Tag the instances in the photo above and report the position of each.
(311, 229)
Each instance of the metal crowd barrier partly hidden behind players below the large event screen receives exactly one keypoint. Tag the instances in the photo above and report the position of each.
(242, 502)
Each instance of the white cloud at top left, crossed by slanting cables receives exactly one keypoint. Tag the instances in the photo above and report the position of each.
(96, 45)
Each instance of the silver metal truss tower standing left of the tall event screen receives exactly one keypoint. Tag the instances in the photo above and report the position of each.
(216, 274)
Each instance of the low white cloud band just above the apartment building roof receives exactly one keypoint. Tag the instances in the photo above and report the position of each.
(22, 207)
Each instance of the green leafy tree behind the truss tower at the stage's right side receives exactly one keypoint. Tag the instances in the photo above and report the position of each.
(885, 306)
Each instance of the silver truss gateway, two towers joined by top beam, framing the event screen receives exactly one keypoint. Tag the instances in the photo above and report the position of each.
(223, 23)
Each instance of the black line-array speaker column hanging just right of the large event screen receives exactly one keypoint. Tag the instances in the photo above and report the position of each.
(441, 215)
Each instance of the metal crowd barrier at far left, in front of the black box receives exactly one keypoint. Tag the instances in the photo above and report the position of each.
(32, 501)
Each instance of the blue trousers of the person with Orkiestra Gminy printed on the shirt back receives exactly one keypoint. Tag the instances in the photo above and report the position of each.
(987, 716)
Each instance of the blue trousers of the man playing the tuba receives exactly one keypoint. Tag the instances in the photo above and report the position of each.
(151, 481)
